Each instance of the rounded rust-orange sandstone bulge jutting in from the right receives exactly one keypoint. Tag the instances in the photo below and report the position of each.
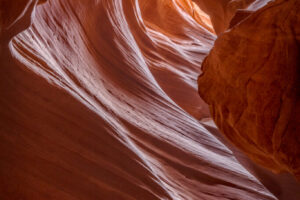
(251, 82)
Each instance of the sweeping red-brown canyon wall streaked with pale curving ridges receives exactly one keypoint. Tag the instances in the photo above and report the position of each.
(99, 101)
